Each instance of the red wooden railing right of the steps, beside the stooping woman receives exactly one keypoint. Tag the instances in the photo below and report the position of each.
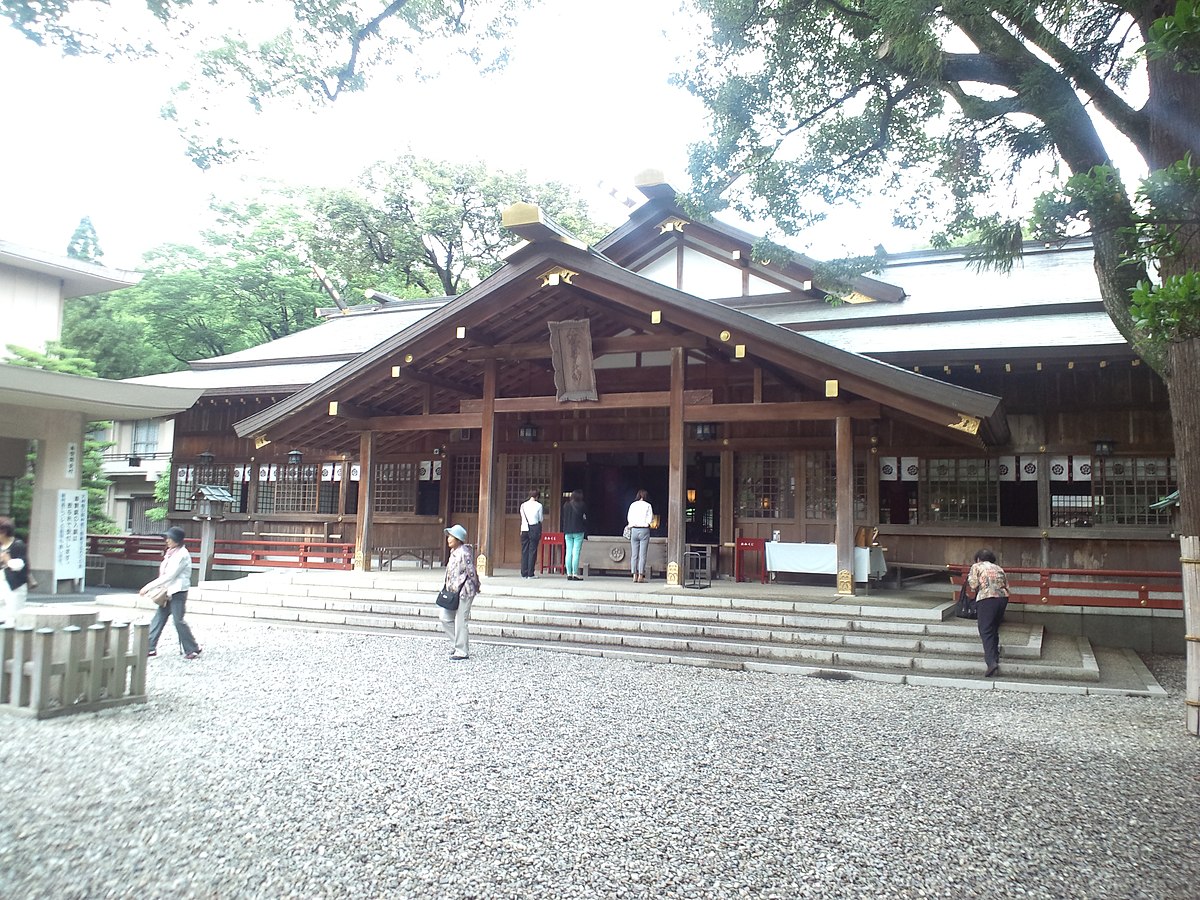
(1091, 587)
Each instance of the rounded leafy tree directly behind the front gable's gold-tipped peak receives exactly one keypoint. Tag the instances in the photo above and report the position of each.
(423, 229)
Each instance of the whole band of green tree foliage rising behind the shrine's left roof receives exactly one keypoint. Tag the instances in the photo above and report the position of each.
(412, 229)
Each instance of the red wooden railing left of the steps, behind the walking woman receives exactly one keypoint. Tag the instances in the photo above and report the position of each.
(265, 554)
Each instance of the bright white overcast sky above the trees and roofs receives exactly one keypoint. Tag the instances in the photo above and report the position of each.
(585, 100)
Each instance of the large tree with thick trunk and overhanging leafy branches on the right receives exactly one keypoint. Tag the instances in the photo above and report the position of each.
(952, 110)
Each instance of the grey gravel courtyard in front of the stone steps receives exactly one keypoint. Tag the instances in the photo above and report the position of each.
(295, 765)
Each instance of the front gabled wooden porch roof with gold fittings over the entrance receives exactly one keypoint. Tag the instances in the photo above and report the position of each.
(437, 362)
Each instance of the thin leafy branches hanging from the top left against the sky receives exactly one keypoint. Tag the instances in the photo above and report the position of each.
(317, 51)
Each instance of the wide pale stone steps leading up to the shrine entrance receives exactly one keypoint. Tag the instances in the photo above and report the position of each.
(776, 631)
